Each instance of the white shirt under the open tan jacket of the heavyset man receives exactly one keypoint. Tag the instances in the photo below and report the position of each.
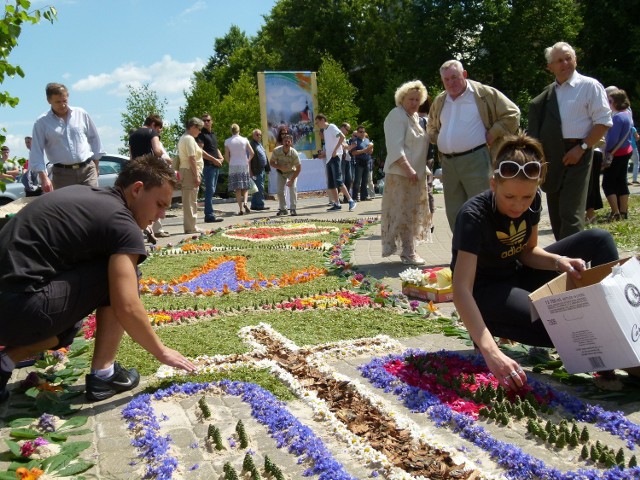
(461, 126)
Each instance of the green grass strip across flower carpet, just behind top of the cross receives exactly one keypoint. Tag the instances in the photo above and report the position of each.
(310, 327)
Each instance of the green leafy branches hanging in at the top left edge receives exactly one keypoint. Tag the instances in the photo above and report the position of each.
(16, 14)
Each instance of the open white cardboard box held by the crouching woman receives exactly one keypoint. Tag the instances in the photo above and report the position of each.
(593, 322)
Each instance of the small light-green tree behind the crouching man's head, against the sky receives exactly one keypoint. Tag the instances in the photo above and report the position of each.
(141, 103)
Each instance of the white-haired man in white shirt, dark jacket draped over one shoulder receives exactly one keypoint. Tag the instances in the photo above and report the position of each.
(569, 117)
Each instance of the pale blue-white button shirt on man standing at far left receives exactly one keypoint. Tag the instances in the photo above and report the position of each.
(71, 140)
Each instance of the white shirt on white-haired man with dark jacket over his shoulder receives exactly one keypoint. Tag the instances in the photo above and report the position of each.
(583, 103)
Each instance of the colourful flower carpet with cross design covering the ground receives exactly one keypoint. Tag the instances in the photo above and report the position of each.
(306, 368)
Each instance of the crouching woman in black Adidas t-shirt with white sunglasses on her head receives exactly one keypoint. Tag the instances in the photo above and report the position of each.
(497, 261)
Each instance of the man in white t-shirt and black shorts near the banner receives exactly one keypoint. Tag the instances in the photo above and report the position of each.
(333, 141)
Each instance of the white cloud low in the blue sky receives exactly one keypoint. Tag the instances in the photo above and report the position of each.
(165, 77)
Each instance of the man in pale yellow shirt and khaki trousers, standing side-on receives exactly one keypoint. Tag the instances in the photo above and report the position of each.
(191, 166)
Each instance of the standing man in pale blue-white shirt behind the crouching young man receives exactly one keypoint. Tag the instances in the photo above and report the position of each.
(71, 141)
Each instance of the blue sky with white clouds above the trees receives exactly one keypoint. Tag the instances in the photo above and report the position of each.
(98, 47)
